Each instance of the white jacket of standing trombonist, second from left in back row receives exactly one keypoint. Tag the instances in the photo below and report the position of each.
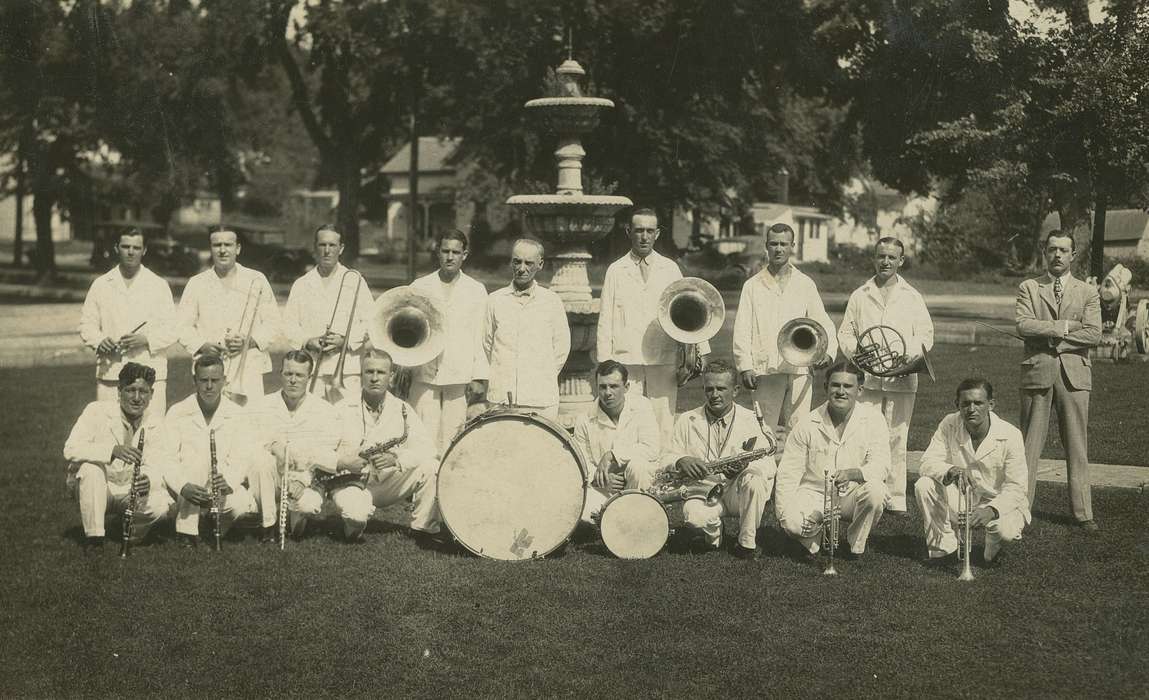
(212, 306)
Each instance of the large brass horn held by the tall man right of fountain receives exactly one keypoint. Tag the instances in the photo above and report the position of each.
(691, 311)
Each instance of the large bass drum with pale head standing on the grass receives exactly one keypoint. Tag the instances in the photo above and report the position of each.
(512, 487)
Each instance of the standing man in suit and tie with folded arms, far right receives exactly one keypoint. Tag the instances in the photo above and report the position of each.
(1060, 319)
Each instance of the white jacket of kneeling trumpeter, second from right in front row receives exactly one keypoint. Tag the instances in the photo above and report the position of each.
(814, 448)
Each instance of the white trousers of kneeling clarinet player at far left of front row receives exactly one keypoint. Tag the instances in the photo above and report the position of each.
(97, 496)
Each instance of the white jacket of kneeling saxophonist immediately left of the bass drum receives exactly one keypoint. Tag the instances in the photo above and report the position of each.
(360, 429)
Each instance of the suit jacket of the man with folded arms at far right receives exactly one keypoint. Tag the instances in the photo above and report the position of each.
(1039, 322)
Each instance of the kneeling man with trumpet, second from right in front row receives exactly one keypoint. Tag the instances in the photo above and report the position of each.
(852, 443)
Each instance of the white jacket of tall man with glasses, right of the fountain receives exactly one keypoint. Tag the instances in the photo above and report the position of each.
(629, 329)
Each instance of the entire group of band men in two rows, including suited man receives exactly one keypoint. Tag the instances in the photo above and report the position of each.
(337, 436)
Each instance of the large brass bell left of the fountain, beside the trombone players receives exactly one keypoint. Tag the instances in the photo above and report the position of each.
(408, 326)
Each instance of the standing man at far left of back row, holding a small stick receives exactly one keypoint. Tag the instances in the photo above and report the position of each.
(129, 316)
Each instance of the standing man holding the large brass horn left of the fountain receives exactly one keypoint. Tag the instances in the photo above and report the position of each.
(439, 388)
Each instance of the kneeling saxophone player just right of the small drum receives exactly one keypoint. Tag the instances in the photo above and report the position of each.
(716, 430)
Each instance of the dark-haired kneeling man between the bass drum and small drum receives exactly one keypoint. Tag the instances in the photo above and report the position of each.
(619, 439)
